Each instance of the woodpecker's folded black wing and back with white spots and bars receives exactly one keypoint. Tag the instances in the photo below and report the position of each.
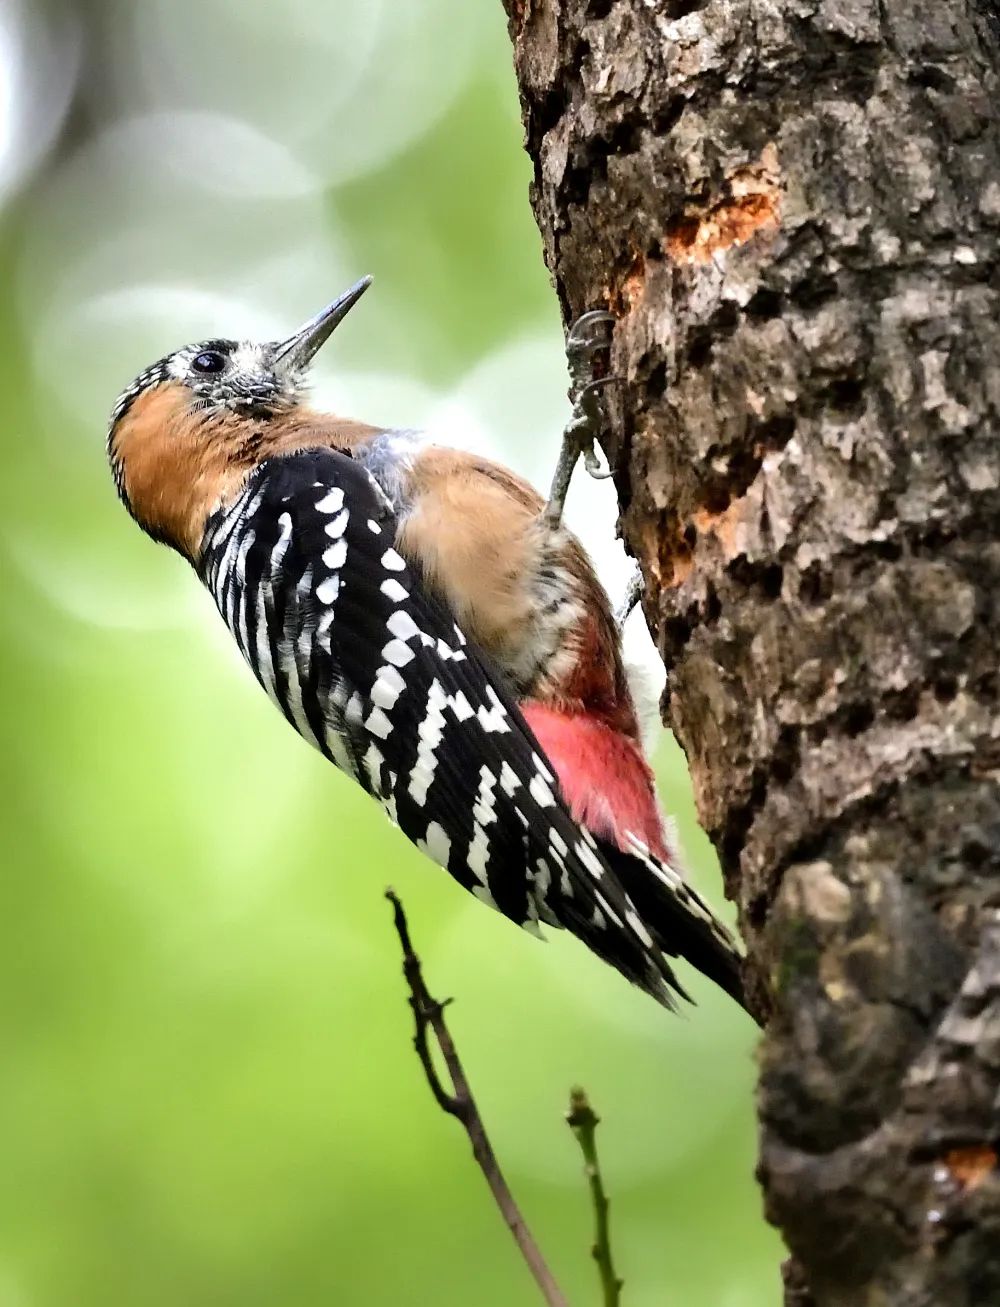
(371, 669)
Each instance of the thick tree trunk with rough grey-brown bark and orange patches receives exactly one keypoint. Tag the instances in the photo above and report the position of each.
(794, 207)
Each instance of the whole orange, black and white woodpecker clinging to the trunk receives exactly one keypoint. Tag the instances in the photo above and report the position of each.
(423, 618)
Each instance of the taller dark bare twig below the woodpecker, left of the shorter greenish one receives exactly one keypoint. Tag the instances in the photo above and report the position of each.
(429, 1019)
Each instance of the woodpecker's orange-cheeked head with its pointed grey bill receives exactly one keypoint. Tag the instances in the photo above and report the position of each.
(207, 414)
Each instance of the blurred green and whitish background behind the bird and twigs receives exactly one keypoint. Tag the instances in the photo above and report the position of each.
(208, 1093)
